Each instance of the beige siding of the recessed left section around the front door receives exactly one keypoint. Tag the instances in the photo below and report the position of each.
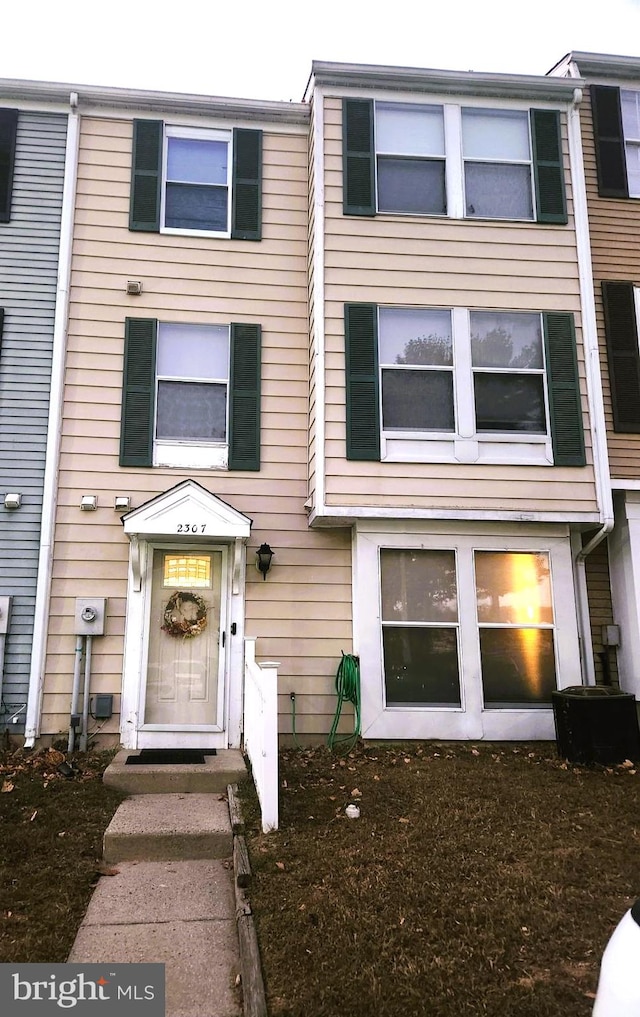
(302, 616)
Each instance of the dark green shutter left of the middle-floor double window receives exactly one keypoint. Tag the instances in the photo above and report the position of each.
(363, 384)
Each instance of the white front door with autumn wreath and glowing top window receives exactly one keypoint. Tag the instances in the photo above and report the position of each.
(183, 697)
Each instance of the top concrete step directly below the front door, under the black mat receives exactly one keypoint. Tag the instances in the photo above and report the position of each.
(212, 777)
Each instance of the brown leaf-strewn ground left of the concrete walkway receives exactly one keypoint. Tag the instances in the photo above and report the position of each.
(50, 850)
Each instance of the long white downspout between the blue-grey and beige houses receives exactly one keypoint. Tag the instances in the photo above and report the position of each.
(50, 488)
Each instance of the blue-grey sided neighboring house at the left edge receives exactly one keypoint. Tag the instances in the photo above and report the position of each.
(34, 148)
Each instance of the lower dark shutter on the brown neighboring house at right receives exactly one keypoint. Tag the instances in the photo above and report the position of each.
(621, 329)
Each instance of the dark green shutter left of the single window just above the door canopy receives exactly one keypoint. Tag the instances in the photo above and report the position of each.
(139, 393)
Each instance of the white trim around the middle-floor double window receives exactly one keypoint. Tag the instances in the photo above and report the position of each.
(466, 445)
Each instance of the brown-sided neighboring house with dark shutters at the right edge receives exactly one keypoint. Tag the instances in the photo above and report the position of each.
(610, 116)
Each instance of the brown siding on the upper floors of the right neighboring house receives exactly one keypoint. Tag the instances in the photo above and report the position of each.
(615, 228)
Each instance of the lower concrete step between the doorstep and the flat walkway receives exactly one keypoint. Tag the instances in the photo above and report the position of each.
(165, 827)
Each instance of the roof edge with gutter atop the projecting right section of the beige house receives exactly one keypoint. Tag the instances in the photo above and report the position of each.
(454, 82)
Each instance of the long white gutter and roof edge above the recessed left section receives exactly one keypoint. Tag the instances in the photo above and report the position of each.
(104, 97)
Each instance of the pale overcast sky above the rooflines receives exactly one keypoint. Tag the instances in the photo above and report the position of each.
(264, 50)
